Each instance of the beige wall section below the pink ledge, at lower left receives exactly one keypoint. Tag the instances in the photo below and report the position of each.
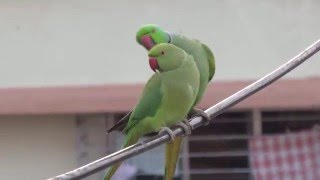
(36, 147)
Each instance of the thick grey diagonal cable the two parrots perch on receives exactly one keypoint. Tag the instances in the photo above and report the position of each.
(196, 122)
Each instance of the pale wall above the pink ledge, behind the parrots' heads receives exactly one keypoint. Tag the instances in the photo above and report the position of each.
(92, 42)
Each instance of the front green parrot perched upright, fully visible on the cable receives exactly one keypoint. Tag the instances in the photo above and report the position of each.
(167, 97)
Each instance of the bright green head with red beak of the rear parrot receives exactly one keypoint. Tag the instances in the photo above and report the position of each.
(150, 35)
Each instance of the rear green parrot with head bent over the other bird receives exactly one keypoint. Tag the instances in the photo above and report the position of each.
(150, 35)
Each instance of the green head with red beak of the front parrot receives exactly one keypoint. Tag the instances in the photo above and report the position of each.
(166, 57)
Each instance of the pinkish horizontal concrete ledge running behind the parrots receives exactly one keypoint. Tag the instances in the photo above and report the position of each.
(283, 94)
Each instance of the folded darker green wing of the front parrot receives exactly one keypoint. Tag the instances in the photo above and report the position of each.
(148, 104)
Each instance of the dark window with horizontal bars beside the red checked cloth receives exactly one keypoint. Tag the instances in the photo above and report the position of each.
(220, 150)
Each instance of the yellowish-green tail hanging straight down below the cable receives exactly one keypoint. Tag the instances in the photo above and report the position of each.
(172, 156)
